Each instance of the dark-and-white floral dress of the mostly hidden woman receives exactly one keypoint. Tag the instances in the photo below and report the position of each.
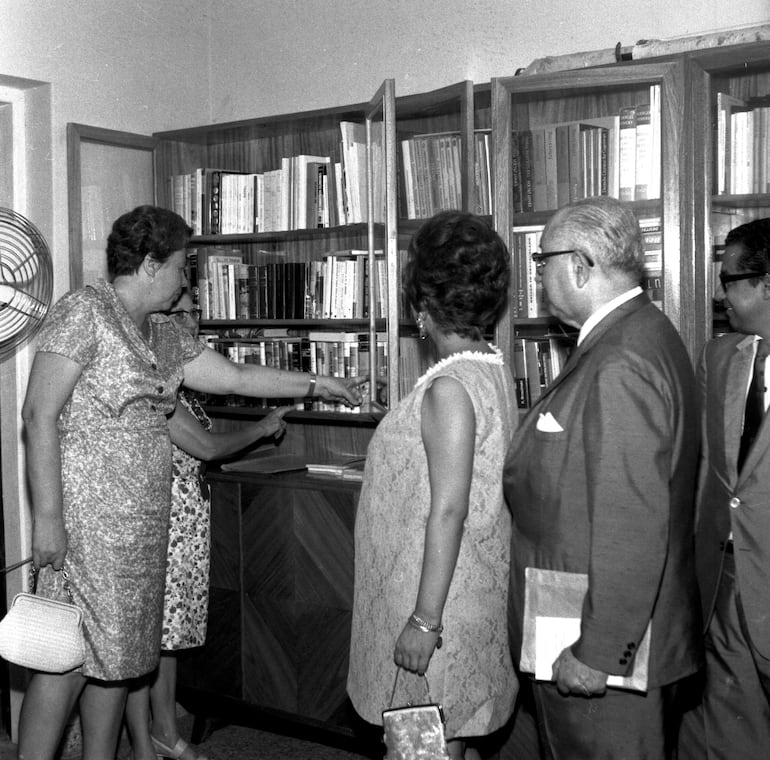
(185, 610)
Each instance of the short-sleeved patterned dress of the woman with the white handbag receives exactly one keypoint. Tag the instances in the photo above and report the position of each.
(116, 474)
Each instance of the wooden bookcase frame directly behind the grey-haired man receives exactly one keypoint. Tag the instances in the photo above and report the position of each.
(530, 102)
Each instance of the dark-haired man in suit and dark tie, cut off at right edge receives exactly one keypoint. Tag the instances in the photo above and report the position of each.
(732, 545)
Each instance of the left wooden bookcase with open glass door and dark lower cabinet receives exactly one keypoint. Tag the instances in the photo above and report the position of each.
(282, 545)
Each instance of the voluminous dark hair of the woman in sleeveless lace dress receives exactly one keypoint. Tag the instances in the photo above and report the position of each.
(458, 270)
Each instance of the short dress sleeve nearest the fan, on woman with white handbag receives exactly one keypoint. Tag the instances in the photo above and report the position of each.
(69, 329)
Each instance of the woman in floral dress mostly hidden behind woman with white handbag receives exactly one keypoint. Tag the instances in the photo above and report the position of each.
(185, 607)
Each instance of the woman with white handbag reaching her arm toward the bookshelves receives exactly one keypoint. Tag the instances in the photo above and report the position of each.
(104, 378)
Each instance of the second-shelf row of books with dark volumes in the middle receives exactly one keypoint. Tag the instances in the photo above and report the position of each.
(230, 284)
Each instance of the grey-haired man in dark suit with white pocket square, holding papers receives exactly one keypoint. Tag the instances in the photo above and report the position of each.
(600, 479)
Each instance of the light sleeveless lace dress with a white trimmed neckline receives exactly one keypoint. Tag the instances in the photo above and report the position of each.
(471, 675)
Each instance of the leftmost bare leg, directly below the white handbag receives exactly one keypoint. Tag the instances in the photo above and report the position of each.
(47, 706)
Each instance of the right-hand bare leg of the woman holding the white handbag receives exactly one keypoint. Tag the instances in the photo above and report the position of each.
(101, 713)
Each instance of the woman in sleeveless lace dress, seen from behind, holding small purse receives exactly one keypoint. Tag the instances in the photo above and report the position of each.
(432, 531)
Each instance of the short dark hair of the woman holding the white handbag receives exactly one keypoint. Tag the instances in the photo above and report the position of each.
(145, 230)
